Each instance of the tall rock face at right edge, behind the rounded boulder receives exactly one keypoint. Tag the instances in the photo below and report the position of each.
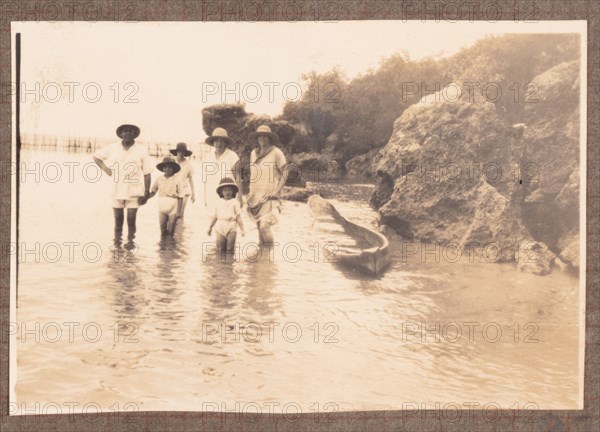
(552, 160)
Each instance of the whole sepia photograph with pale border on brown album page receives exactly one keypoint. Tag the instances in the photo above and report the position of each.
(297, 218)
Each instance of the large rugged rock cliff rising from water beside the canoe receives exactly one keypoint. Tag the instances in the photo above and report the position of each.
(453, 172)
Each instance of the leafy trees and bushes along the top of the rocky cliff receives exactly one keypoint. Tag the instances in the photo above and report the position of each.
(360, 113)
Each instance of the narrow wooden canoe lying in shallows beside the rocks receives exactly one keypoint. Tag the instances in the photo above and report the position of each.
(367, 251)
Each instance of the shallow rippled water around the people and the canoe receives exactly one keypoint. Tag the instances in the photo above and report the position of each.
(204, 332)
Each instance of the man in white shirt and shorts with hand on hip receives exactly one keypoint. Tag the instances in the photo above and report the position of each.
(130, 166)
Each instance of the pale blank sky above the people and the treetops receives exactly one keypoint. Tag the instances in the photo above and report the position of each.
(175, 69)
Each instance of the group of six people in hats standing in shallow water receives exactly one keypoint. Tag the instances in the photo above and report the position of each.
(130, 165)
